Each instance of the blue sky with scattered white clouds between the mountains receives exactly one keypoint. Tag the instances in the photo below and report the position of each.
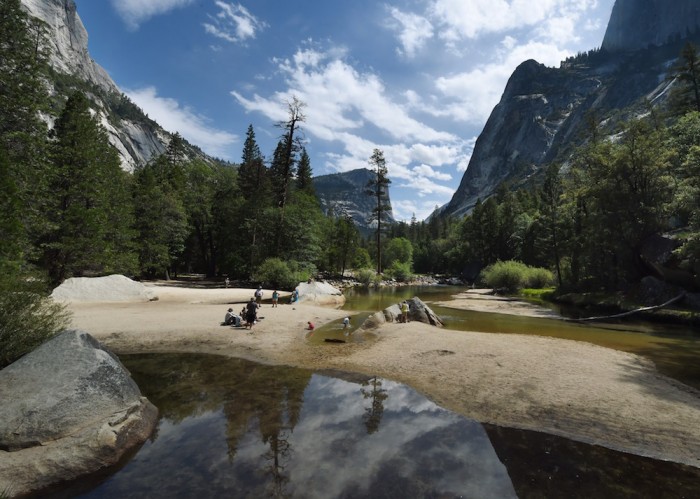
(414, 78)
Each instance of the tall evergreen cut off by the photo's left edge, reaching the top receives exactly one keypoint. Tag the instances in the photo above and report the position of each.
(23, 146)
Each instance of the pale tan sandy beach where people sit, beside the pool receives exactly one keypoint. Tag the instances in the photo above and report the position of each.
(573, 389)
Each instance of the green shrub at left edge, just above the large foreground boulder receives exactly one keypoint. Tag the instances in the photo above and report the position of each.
(28, 317)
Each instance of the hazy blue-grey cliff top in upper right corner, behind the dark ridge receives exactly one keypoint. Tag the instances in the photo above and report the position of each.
(636, 24)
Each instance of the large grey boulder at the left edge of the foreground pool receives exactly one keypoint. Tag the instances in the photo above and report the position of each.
(69, 408)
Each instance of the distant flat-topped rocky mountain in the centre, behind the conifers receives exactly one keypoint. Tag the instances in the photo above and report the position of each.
(344, 193)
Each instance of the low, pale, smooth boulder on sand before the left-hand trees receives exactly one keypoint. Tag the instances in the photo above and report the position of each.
(101, 289)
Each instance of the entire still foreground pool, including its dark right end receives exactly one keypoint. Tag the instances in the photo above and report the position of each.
(233, 428)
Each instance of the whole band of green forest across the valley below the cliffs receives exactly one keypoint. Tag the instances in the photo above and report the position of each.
(70, 210)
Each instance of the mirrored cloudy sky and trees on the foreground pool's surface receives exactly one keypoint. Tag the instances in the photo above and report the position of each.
(233, 428)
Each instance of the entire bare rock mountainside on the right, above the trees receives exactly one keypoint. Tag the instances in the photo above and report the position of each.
(542, 113)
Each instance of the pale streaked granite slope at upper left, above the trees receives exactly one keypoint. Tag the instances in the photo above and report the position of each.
(136, 138)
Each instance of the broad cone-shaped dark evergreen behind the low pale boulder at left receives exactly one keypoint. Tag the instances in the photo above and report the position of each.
(88, 211)
